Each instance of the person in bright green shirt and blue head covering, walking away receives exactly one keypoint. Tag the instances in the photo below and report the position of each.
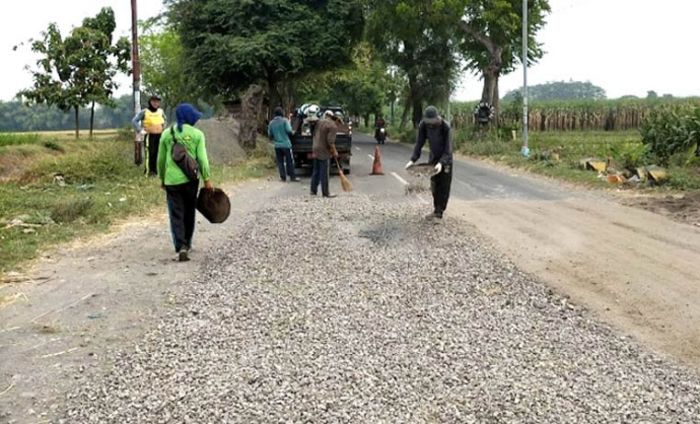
(181, 192)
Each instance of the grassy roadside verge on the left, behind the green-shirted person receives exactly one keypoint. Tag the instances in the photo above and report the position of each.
(57, 195)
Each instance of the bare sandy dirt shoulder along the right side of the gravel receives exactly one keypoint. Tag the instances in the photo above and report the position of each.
(627, 265)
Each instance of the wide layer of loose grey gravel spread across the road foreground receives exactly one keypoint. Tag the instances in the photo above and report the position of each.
(357, 310)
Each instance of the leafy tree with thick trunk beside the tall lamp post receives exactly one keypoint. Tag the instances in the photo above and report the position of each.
(492, 43)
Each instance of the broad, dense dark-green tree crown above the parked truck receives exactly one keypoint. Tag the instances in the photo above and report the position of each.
(231, 44)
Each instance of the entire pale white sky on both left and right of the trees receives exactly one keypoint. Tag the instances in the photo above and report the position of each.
(624, 46)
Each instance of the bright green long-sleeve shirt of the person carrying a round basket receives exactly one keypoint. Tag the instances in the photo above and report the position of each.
(193, 140)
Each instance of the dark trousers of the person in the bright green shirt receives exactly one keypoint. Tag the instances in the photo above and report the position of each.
(182, 203)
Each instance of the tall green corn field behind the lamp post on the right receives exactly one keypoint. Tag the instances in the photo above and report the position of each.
(602, 115)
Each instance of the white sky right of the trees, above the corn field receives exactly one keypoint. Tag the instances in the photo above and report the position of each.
(624, 46)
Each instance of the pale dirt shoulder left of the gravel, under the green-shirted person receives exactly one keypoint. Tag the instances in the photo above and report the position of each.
(92, 295)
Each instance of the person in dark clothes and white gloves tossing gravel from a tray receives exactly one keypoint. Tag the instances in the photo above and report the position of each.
(434, 129)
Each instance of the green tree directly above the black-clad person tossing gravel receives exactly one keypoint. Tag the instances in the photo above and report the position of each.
(419, 37)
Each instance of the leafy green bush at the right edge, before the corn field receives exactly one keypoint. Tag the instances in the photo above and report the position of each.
(672, 130)
